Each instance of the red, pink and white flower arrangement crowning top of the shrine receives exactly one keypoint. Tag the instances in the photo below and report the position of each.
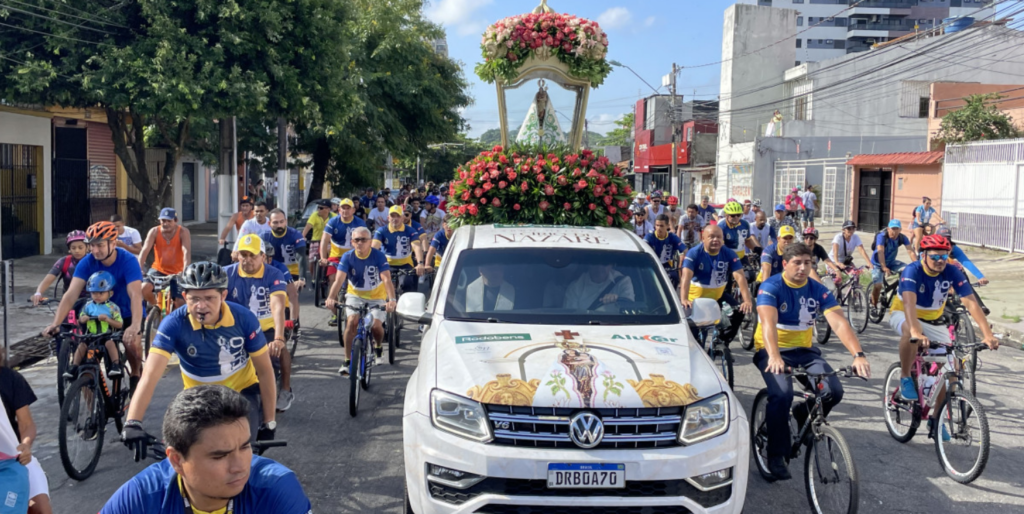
(580, 44)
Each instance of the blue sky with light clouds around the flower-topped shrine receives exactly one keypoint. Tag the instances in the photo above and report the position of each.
(648, 36)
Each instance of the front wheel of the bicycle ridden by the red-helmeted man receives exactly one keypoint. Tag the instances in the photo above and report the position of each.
(964, 457)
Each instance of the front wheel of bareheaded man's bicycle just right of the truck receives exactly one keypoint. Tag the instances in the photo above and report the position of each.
(830, 475)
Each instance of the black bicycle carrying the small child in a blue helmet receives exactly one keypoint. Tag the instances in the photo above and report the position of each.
(91, 402)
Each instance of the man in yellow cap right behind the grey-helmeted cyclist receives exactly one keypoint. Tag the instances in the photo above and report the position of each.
(265, 291)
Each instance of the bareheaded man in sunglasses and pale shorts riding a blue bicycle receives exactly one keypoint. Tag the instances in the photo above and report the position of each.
(369, 277)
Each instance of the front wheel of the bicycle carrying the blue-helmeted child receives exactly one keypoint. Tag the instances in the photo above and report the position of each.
(80, 433)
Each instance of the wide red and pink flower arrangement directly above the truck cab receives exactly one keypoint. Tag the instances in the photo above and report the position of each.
(546, 187)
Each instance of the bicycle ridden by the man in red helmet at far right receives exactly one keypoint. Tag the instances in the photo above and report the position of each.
(931, 373)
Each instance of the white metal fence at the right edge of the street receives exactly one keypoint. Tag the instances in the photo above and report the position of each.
(983, 189)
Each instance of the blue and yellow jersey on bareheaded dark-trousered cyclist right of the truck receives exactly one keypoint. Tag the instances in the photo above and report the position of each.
(798, 306)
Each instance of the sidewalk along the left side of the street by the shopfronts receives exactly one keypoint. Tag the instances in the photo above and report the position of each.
(26, 322)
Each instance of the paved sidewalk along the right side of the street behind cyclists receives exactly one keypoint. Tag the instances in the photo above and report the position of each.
(1002, 296)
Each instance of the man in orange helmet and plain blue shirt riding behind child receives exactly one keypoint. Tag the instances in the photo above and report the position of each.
(122, 266)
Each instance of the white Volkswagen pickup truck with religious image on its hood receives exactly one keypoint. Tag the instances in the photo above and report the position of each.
(559, 375)
